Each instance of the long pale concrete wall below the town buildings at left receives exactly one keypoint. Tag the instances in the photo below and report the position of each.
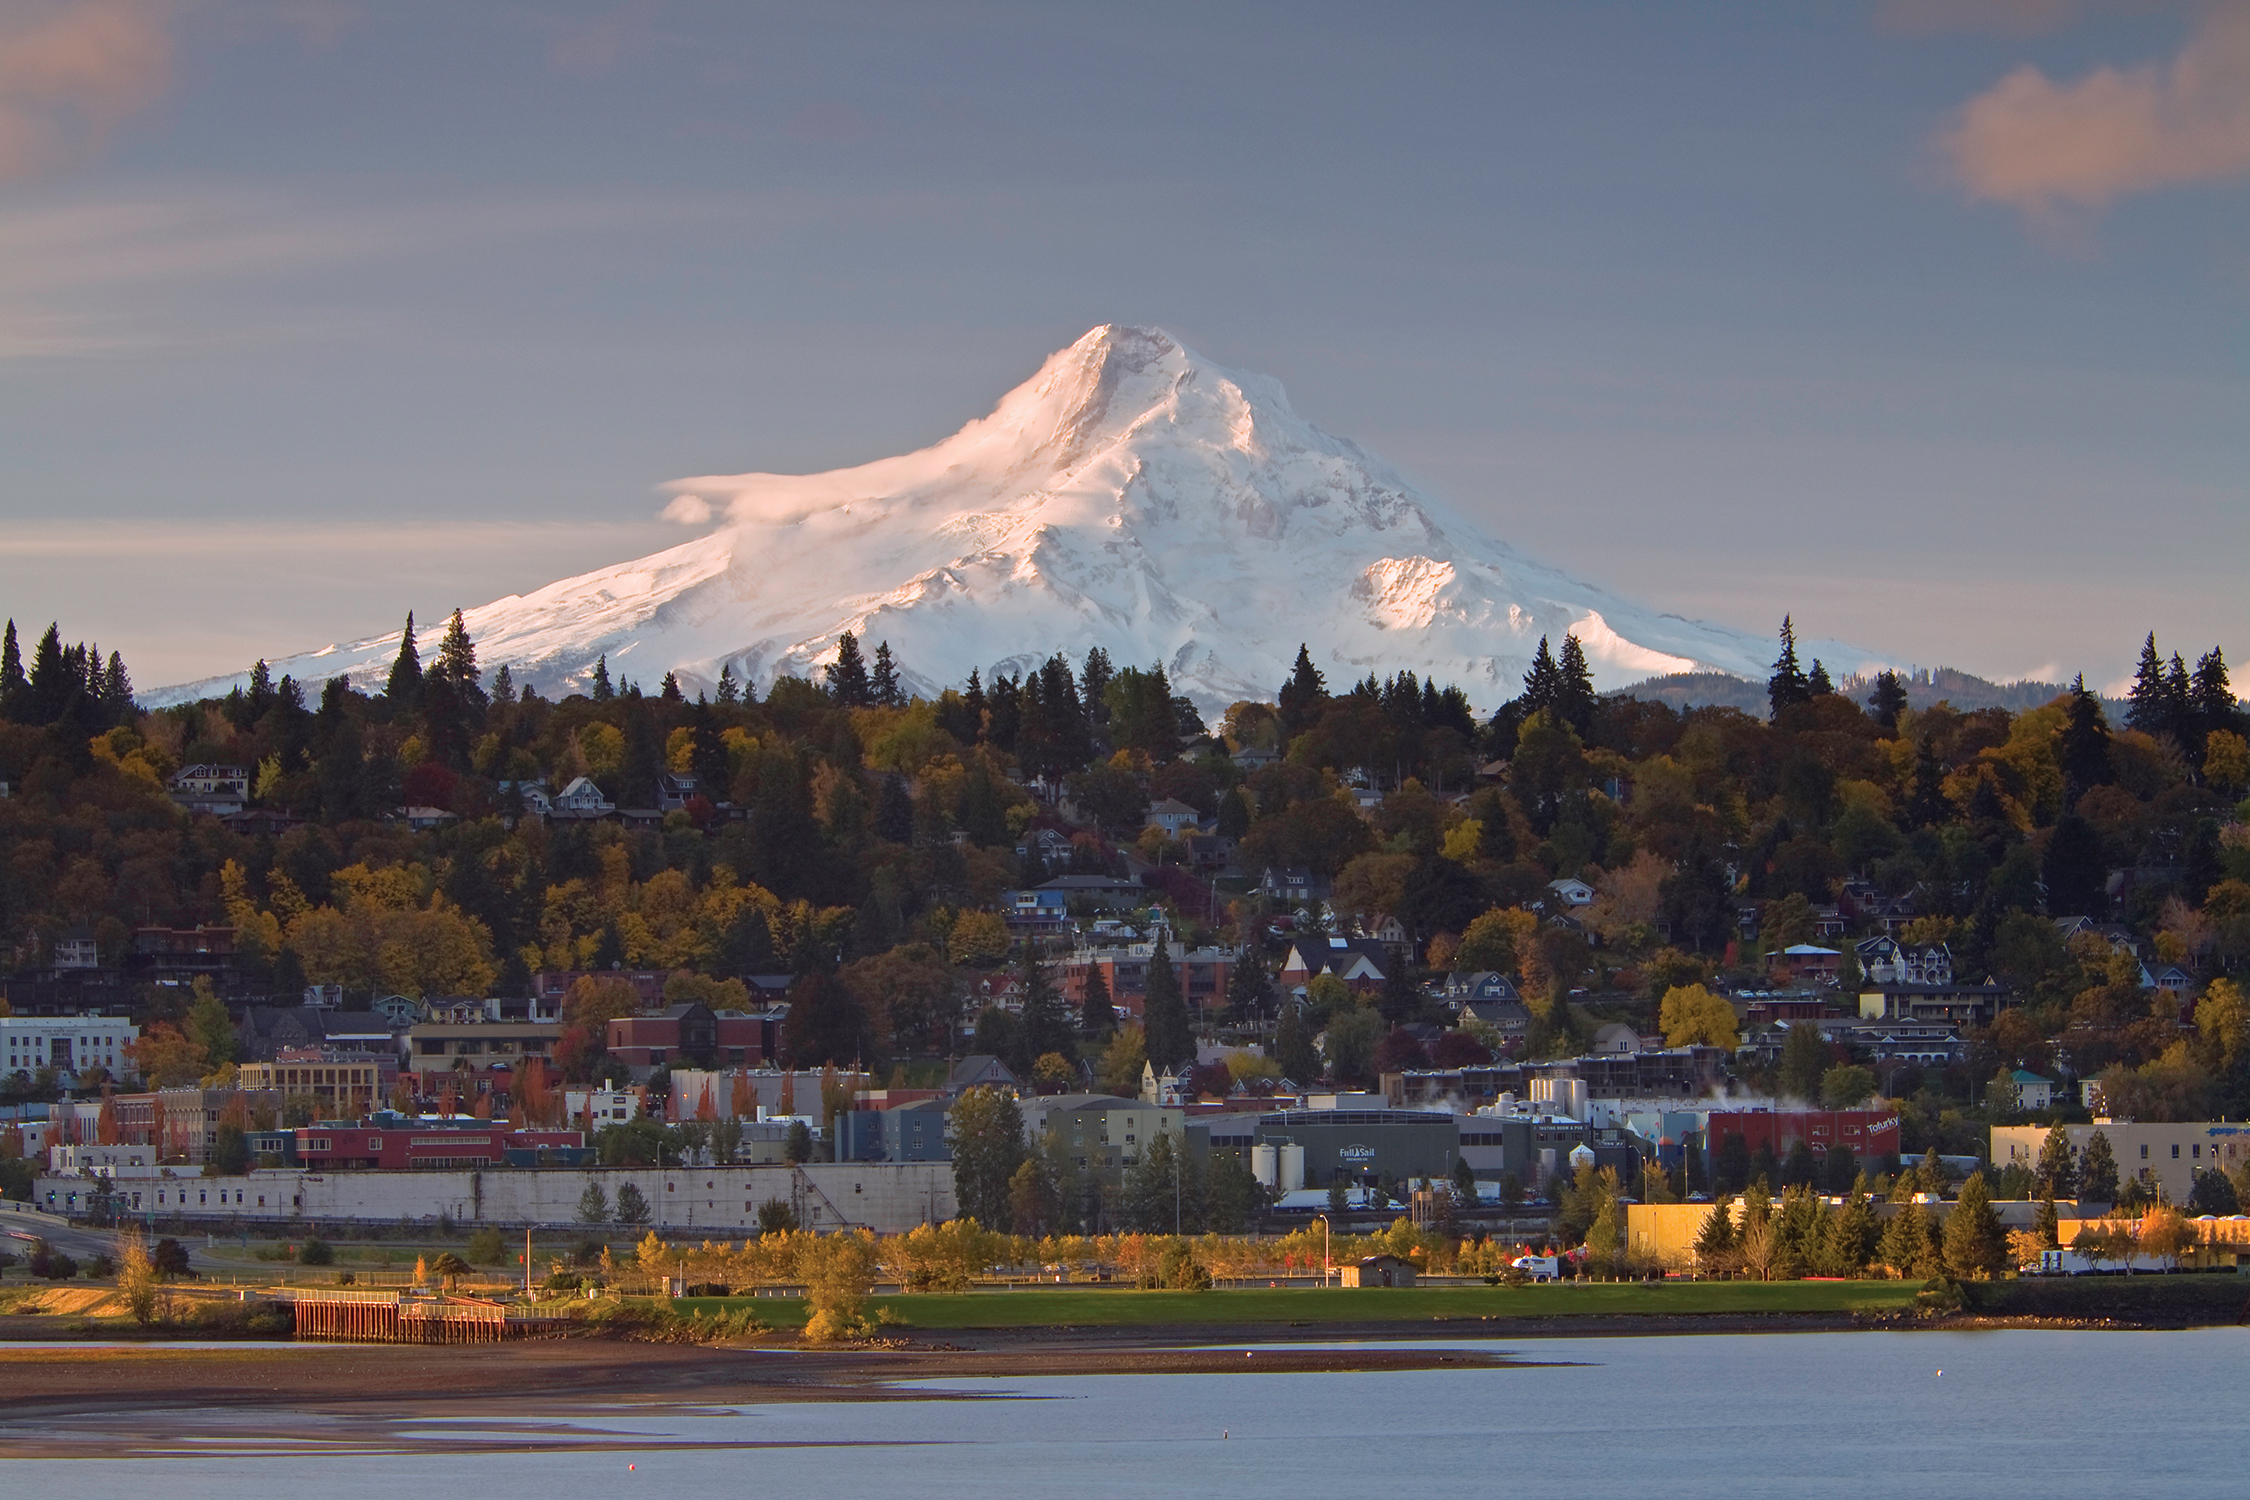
(719, 1202)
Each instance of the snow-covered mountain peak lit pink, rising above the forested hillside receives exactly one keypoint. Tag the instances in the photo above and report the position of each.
(1131, 496)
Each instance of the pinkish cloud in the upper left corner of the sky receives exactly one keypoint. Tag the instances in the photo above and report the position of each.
(73, 71)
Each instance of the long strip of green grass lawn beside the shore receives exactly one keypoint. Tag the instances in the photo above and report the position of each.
(1340, 1305)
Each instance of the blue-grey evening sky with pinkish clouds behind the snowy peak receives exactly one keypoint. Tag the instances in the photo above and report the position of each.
(1923, 320)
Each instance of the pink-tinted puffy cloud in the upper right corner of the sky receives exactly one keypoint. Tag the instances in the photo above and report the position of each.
(2042, 145)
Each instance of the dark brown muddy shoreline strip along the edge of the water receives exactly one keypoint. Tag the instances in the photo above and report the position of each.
(100, 1373)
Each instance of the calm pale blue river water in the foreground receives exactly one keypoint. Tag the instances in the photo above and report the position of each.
(2060, 1413)
